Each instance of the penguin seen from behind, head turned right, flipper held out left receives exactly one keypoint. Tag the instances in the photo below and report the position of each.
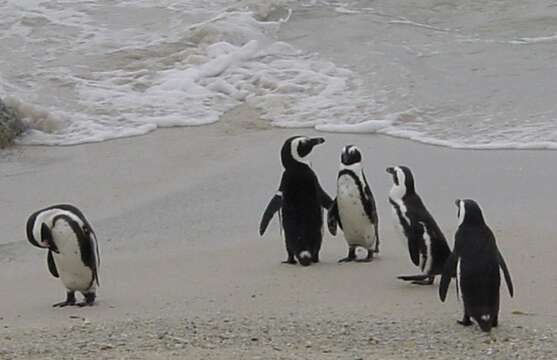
(300, 199)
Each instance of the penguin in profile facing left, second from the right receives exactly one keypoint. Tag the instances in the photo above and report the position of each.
(420, 233)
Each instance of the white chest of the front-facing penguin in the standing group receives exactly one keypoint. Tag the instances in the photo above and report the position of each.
(357, 227)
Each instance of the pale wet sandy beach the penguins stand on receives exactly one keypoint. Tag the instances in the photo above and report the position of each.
(184, 273)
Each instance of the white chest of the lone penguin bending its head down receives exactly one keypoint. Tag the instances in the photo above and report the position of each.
(75, 275)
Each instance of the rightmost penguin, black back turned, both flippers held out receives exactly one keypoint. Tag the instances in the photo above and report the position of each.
(476, 261)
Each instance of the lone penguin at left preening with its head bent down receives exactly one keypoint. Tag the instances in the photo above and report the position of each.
(73, 253)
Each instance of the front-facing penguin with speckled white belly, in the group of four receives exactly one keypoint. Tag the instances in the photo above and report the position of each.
(354, 207)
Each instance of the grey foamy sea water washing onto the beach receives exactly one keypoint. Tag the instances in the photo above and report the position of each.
(473, 75)
